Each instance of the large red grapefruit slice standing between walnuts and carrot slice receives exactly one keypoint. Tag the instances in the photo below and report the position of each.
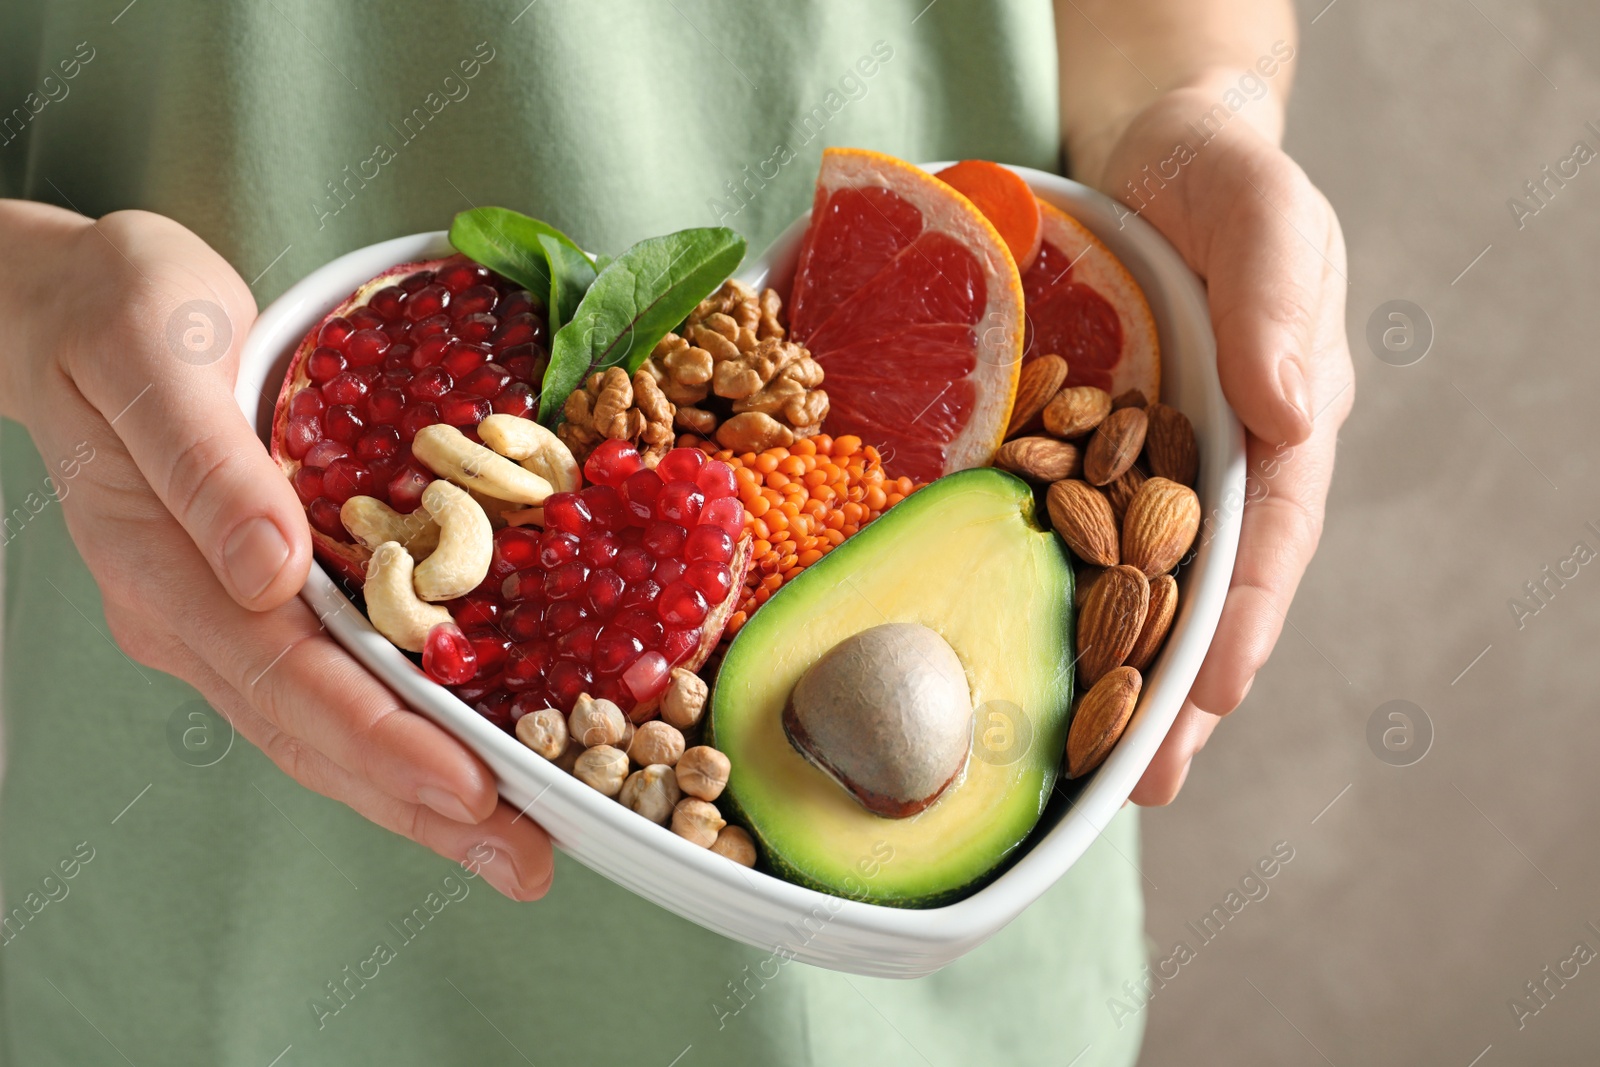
(911, 302)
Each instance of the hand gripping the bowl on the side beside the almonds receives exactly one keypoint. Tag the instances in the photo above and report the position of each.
(1268, 244)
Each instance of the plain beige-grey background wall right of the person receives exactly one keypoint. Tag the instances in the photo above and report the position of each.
(1425, 900)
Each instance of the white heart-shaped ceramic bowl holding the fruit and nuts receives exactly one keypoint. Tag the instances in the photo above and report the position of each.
(746, 905)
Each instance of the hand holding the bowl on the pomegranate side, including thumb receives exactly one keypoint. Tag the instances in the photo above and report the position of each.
(126, 335)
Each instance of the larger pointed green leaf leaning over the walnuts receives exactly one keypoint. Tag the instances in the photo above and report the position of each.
(633, 305)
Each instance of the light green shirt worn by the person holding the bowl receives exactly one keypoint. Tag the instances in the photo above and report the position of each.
(162, 913)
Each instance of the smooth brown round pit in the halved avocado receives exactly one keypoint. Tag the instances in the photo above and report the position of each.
(889, 716)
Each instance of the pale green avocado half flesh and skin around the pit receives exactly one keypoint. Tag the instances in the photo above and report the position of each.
(967, 559)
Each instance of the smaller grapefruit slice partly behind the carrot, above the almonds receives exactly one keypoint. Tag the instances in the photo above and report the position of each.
(1084, 306)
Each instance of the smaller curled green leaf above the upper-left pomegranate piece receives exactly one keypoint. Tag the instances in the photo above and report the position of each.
(529, 252)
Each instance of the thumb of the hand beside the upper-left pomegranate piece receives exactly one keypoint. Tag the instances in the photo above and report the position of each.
(164, 378)
